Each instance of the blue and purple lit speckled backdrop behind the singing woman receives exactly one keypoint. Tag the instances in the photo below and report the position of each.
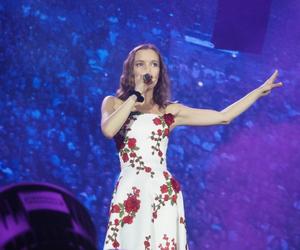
(241, 182)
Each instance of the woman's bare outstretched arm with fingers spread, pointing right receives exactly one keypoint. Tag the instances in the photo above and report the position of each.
(201, 117)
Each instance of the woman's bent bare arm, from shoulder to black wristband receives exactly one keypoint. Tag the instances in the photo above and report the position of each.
(112, 120)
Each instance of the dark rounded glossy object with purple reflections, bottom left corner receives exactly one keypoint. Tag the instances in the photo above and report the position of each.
(43, 216)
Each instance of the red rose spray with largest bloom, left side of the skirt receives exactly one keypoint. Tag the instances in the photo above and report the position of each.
(126, 212)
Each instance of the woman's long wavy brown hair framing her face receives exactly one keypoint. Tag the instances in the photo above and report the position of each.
(161, 92)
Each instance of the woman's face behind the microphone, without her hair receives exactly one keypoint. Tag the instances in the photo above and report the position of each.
(146, 61)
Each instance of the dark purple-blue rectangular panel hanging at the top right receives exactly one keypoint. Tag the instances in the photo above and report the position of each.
(241, 25)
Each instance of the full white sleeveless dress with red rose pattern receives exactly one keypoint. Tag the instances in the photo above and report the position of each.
(146, 210)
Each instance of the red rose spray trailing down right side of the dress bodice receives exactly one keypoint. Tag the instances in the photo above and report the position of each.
(165, 121)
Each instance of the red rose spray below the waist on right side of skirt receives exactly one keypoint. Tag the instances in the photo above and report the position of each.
(168, 193)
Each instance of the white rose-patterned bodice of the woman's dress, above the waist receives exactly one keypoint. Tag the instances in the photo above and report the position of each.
(142, 141)
